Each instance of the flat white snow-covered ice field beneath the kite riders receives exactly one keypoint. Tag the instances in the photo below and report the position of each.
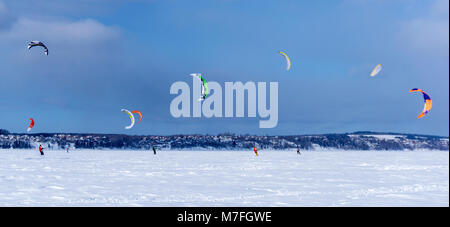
(223, 178)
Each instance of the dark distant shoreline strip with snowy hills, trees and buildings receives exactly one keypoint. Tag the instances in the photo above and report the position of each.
(227, 141)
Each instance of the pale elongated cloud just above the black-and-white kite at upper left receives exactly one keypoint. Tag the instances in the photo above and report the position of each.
(15, 32)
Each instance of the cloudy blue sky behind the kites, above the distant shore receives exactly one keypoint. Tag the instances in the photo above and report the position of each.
(108, 55)
